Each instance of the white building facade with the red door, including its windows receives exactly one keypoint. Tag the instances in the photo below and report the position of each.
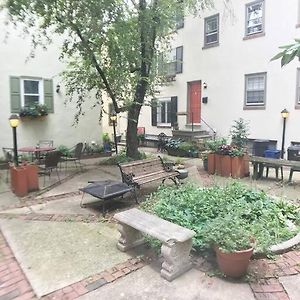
(226, 72)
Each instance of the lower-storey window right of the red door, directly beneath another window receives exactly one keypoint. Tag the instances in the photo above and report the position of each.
(255, 89)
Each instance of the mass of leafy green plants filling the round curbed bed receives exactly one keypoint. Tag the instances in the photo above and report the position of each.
(230, 216)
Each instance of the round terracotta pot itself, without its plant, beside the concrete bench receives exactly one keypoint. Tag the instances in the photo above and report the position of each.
(234, 264)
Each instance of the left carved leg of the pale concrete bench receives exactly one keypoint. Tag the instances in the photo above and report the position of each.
(129, 238)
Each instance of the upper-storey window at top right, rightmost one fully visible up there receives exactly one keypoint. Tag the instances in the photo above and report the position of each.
(254, 18)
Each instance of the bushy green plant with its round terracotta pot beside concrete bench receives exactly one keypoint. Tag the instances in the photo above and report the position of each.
(232, 242)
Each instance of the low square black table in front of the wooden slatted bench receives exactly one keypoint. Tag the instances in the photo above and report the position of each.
(105, 190)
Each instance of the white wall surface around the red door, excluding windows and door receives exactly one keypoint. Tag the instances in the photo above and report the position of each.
(223, 69)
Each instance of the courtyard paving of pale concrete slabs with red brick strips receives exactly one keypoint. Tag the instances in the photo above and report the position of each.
(50, 248)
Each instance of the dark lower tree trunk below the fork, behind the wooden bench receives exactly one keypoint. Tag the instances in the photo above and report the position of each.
(131, 135)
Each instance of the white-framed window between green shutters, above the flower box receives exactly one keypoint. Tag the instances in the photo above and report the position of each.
(31, 92)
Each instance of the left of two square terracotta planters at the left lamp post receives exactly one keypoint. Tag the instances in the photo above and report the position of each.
(19, 181)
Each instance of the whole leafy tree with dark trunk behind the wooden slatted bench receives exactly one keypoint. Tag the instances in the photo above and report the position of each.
(109, 45)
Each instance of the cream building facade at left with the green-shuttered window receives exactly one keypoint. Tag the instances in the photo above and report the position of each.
(27, 81)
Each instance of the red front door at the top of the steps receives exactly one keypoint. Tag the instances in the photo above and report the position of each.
(194, 102)
